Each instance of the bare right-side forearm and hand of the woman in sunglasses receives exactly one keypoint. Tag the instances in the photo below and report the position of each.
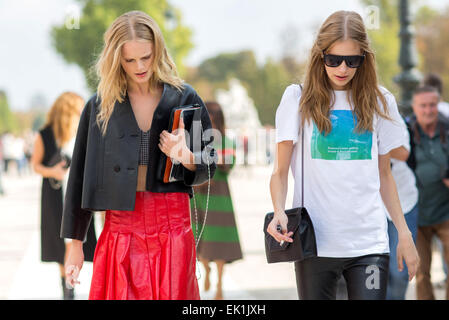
(406, 249)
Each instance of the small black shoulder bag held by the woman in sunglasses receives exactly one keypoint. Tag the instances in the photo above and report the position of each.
(304, 241)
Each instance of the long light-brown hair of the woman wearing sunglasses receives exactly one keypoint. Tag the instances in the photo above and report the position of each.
(318, 96)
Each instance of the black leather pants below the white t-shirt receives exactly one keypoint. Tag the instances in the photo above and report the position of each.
(366, 277)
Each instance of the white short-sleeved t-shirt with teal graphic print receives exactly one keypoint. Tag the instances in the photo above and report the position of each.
(341, 174)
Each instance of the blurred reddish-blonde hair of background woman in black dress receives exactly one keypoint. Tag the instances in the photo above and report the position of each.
(63, 116)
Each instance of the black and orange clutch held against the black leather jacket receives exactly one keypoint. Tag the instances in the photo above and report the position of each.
(167, 170)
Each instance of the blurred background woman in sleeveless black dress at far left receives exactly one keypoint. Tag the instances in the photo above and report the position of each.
(57, 138)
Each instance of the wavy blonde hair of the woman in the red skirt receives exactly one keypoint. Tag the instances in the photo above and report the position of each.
(133, 25)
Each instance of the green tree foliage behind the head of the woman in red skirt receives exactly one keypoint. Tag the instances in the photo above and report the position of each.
(82, 46)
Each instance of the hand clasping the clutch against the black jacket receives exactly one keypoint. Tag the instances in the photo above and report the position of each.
(174, 144)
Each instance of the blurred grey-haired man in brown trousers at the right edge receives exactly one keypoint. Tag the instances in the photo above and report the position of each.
(430, 158)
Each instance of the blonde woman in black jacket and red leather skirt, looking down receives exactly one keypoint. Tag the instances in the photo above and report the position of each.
(146, 249)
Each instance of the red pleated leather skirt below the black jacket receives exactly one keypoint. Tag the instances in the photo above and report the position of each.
(148, 253)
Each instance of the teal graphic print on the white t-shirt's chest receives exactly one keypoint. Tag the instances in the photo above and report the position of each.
(343, 142)
